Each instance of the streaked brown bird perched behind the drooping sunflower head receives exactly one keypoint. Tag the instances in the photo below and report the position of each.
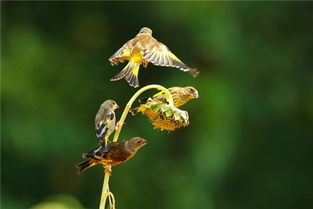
(181, 95)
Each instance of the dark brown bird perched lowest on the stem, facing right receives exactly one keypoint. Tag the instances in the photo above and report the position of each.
(118, 152)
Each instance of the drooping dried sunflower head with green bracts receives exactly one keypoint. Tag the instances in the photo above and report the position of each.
(163, 116)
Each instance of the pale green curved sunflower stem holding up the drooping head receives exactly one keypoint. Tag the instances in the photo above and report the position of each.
(169, 98)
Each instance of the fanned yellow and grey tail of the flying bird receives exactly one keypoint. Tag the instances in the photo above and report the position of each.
(130, 73)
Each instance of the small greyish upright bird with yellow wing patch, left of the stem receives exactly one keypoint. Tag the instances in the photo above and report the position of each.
(105, 121)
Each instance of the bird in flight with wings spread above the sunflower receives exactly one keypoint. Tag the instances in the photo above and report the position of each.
(144, 49)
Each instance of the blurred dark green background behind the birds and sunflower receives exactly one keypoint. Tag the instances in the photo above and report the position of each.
(249, 144)
